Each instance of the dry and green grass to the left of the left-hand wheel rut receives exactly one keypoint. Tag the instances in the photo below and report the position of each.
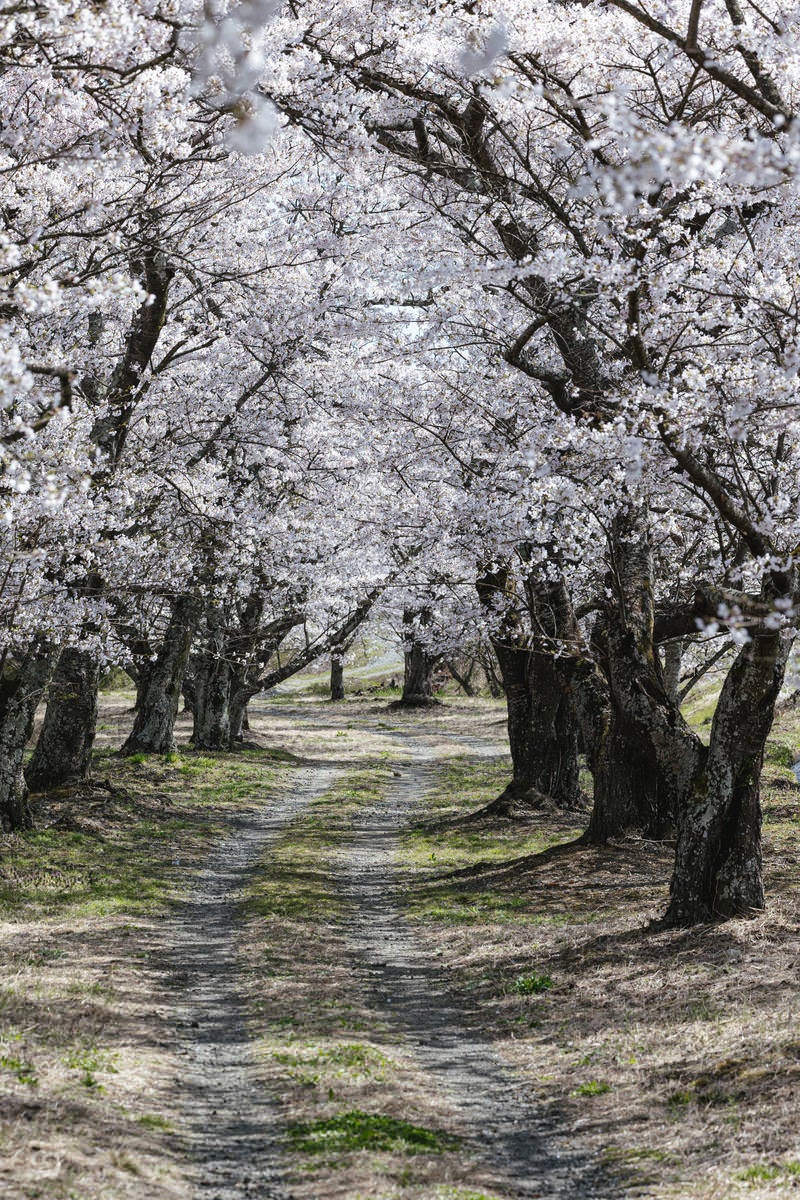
(91, 1079)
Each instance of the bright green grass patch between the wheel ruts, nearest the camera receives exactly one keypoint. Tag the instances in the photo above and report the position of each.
(357, 1131)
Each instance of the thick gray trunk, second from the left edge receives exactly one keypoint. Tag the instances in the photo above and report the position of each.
(64, 748)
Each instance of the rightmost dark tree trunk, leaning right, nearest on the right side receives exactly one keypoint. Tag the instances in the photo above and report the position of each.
(719, 857)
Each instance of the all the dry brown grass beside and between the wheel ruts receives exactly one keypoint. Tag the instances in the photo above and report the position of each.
(696, 1035)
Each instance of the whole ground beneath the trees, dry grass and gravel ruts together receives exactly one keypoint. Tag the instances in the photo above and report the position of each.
(503, 979)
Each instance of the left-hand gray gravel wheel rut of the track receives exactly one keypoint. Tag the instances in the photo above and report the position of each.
(227, 1114)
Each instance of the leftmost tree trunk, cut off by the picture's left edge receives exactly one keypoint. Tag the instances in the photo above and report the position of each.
(21, 691)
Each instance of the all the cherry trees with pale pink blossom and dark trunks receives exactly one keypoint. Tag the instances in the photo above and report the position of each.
(485, 320)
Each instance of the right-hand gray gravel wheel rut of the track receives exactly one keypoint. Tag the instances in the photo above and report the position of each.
(502, 1130)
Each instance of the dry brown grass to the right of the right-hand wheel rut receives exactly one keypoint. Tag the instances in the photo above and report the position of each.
(676, 1055)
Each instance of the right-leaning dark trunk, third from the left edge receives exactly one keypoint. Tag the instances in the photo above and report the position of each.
(154, 727)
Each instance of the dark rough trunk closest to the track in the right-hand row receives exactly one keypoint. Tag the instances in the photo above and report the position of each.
(543, 727)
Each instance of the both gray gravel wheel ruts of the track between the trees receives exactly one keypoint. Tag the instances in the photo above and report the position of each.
(234, 1129)
